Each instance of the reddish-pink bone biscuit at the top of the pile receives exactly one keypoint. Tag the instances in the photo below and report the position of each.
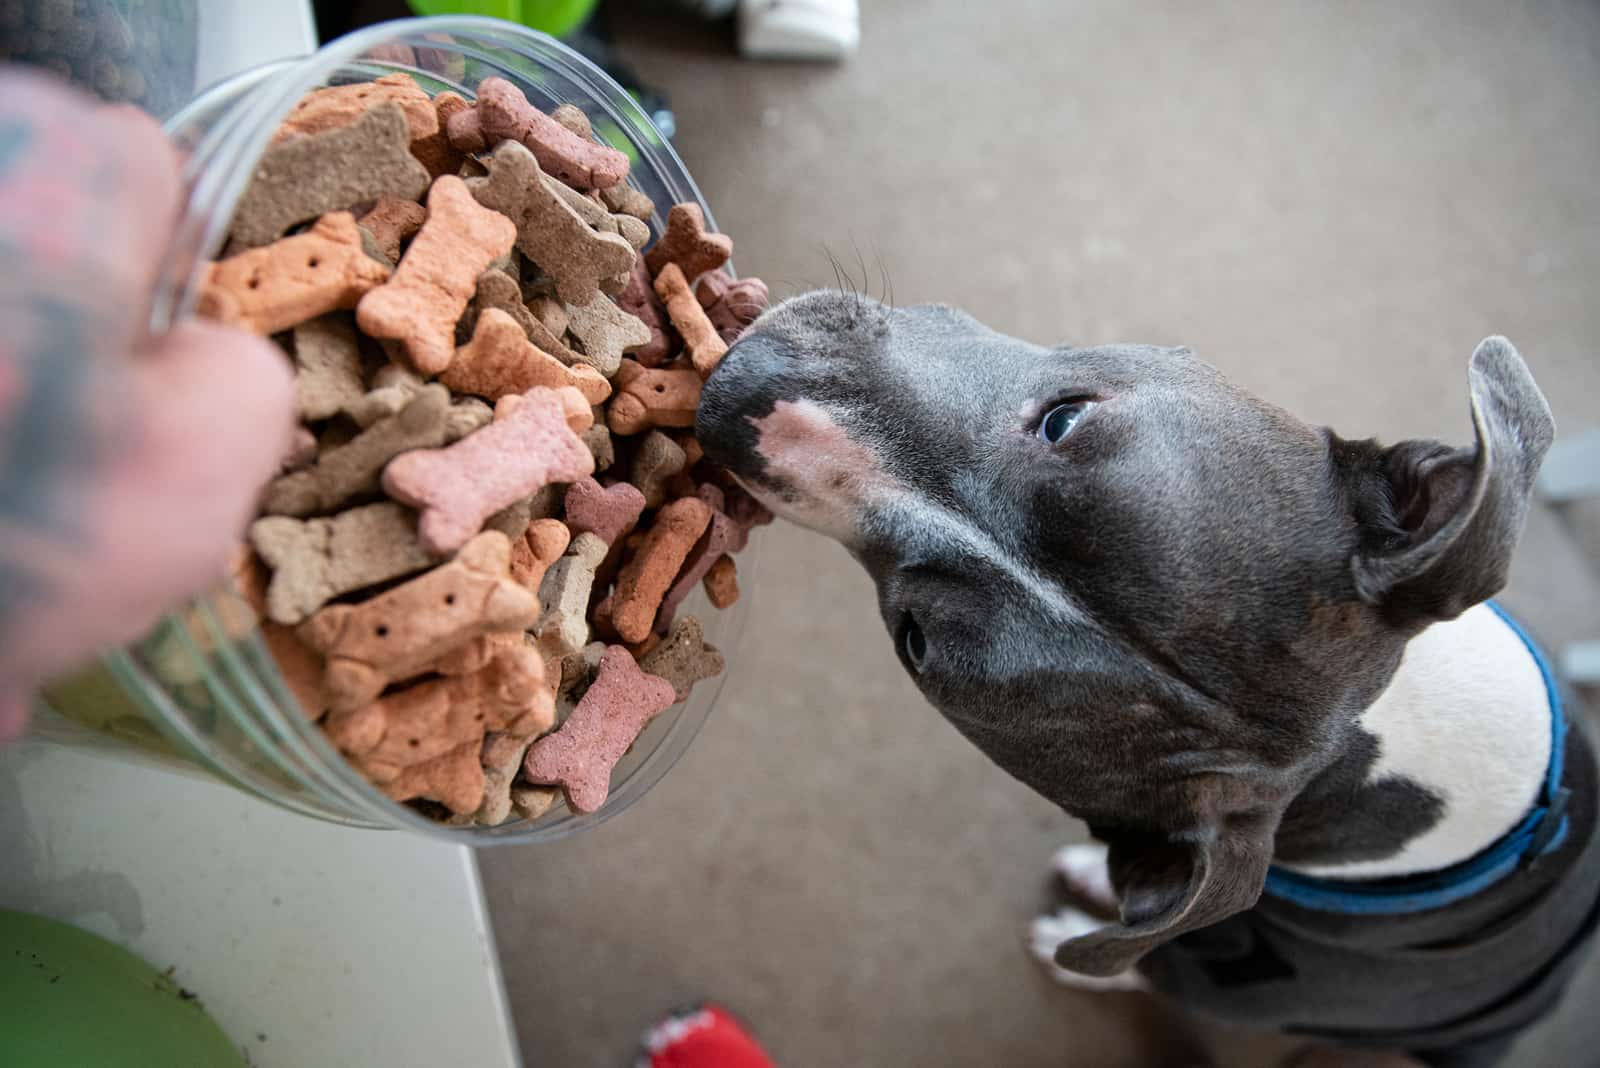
(505, 113)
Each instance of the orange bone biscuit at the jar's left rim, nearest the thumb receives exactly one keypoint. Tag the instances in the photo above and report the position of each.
(297, 279)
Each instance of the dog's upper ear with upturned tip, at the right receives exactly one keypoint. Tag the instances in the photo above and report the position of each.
(1442, 522)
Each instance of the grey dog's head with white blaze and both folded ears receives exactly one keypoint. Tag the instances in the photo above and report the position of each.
(1151, 597)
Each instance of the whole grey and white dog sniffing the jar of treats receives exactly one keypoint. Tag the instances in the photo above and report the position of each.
(1334, 787)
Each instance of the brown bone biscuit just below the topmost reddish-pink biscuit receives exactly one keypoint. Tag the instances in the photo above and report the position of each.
(551, 234)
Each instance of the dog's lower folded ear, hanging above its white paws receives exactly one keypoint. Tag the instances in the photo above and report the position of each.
(1175, 883)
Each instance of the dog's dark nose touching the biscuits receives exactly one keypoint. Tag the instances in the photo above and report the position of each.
(754, 375)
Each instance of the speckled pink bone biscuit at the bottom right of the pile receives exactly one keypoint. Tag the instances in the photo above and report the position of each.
(582, 754)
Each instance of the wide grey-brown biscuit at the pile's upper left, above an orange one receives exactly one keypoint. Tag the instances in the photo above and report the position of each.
(329, 172)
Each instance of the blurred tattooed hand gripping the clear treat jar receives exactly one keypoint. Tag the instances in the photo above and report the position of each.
(127, 468)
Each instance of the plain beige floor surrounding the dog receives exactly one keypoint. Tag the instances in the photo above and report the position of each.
(1332, 204)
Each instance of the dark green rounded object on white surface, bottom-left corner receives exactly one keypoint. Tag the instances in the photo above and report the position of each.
(70, 998)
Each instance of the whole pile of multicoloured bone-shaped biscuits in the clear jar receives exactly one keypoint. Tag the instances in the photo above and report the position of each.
(471, 565)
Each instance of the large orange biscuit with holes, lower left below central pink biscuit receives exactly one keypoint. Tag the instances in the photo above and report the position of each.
(401, 632)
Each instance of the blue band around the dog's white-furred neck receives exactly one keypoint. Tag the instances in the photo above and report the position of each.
(1543, 831)
